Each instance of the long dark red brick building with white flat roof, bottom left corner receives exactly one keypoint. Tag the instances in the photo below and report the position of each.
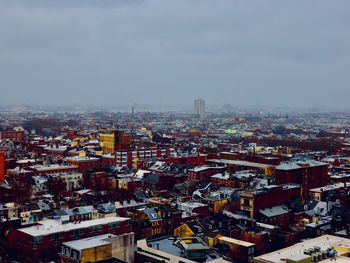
(43, 241)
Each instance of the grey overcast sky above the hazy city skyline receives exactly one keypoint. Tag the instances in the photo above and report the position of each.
(160, 52)
